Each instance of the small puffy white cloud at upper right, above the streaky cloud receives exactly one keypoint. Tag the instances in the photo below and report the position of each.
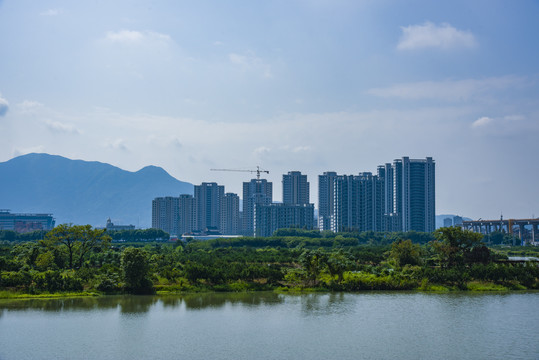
(429, 35)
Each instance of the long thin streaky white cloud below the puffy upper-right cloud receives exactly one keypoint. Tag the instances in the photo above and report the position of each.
(449, 90)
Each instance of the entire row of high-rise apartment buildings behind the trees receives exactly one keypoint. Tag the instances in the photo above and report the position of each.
(399, 197)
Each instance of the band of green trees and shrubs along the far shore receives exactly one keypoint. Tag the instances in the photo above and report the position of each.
(74, 261)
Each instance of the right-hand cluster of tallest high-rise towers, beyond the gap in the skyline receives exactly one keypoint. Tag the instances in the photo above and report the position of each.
(400, 197)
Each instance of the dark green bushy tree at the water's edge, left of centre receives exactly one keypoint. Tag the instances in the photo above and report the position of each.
(136, 271)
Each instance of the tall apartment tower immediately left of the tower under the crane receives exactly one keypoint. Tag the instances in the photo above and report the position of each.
(208, 197)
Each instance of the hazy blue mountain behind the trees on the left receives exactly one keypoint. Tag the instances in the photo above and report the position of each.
(84, 192)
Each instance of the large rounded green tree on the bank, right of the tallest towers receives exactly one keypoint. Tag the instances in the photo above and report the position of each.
(453, 245)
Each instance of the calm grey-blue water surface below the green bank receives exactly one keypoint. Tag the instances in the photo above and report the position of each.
(373, 325)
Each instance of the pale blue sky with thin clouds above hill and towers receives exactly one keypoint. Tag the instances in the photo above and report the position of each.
(310, 86)
